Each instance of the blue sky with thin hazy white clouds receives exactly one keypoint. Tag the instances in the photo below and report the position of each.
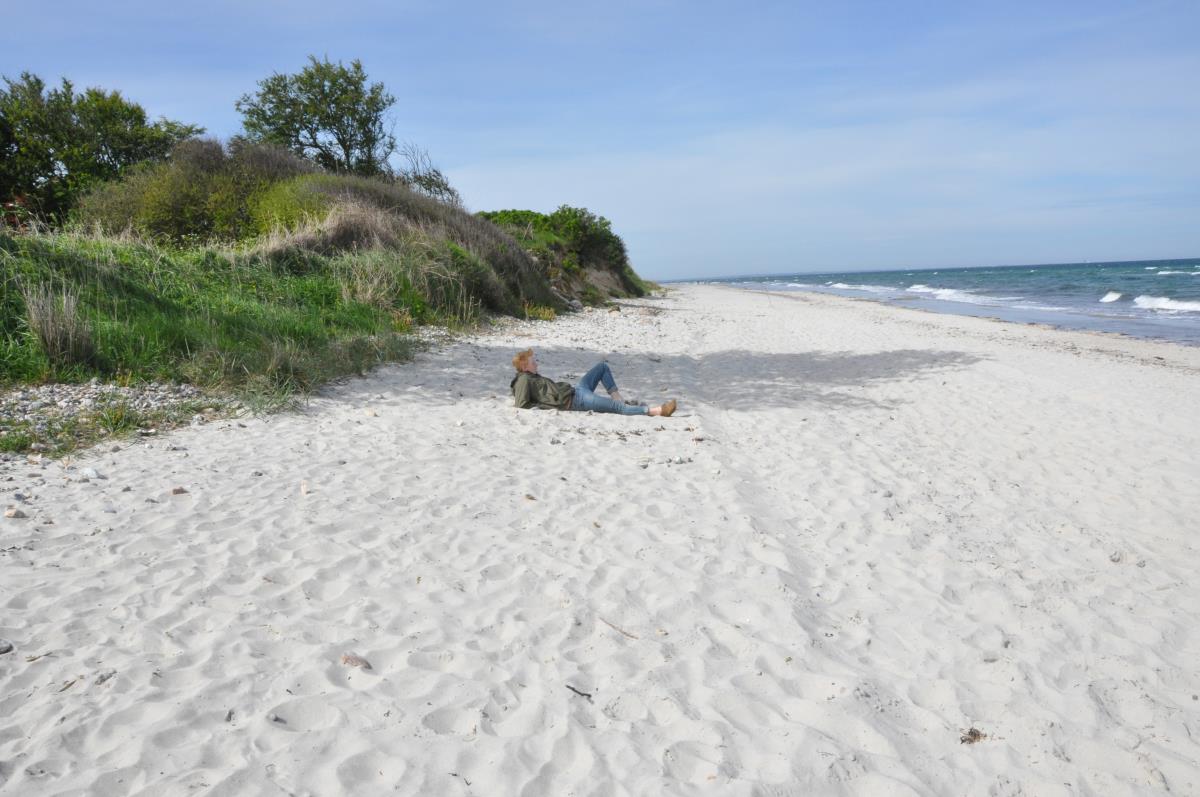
(728, 139)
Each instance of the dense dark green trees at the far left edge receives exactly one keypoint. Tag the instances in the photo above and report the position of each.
(57, 145)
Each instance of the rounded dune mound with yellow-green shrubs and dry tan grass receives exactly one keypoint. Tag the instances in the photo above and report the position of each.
(283, 209)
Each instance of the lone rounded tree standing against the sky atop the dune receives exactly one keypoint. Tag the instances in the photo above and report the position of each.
(328, 113)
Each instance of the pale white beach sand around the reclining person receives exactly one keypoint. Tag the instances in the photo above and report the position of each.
(868, 531)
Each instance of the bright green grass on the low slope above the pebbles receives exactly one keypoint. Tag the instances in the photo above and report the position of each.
(207, 316)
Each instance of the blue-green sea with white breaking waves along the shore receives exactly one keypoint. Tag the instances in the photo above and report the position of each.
(1155, 299)
